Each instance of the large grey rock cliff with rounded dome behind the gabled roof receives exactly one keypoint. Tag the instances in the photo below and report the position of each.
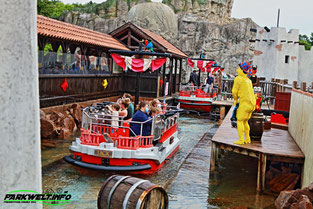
(198, 26)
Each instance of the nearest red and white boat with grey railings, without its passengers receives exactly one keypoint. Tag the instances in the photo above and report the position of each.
(106, 148)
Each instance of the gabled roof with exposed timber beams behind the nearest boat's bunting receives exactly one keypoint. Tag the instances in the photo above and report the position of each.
(128, 31)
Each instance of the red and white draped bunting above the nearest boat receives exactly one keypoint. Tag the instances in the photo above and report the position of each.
(138, 65)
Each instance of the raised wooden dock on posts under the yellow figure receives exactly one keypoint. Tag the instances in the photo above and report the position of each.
(276, 145)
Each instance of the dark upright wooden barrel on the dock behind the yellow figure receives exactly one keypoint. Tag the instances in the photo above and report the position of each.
(256, 124)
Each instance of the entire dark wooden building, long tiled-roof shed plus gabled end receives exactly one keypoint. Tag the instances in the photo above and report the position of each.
(80, 58)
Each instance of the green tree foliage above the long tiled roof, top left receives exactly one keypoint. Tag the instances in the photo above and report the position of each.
(53, 8)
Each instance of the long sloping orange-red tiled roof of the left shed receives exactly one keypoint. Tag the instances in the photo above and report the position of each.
(56, 29)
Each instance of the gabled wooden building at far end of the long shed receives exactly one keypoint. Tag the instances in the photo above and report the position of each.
(131, 35)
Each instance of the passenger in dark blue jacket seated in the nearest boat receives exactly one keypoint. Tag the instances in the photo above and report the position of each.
(141, 116)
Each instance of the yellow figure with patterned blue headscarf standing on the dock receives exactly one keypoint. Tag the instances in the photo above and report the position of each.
(243, 91)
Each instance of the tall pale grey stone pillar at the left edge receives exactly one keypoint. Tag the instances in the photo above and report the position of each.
(20, 160)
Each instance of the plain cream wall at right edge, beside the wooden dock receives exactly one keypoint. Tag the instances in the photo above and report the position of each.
(300, 128)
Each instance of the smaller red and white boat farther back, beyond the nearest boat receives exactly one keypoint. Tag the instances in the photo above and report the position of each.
(191, 97)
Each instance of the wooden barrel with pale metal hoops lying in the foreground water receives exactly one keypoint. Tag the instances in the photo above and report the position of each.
(126, 192)
